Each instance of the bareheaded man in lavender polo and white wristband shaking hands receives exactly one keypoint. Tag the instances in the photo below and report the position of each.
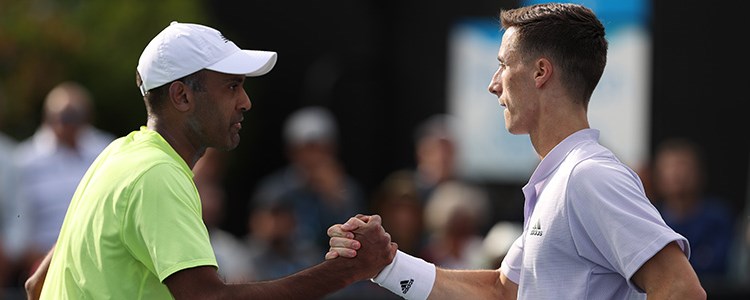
(590, 232)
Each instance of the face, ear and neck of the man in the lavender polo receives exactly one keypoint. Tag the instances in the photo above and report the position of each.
(535, 100)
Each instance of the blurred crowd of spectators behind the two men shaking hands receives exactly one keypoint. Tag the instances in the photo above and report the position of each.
(427, 208)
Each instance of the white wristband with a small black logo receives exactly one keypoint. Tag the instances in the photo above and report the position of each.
(407, 276)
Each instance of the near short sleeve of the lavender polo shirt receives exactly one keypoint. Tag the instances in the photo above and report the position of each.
(612, 222)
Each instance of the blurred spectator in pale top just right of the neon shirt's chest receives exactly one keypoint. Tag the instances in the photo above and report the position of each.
(231, 253)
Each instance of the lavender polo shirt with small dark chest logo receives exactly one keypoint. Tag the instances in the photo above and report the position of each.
(588, 226)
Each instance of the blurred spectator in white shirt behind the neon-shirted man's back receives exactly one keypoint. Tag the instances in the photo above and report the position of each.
(50, 165)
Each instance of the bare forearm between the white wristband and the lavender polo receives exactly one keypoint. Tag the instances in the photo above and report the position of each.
(472, 284)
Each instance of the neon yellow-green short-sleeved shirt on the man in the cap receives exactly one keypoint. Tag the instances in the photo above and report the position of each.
(134, 220)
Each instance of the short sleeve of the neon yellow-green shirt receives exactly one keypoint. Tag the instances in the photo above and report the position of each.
(164, 228)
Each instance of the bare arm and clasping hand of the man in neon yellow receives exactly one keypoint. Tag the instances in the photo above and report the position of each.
(312, 283)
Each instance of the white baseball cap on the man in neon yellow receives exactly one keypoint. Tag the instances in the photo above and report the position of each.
(183, 48)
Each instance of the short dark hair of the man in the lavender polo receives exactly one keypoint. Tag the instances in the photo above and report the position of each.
(569, 34)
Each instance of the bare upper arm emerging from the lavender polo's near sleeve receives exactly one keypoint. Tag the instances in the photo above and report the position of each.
(669, 275)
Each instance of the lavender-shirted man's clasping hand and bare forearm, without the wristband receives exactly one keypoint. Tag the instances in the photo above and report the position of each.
(449, 284)
